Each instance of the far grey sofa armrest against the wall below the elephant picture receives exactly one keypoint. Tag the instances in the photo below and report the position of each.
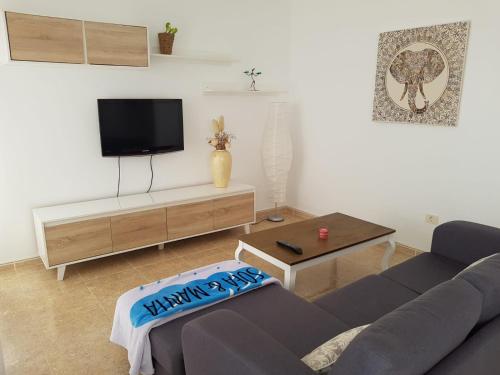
(465, 242)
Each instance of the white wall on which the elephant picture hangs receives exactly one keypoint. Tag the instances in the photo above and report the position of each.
(391, 173)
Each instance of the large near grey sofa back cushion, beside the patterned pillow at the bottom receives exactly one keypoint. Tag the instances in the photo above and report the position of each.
(415, 336)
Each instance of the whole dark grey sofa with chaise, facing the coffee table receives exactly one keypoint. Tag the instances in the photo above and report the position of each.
(424, 321)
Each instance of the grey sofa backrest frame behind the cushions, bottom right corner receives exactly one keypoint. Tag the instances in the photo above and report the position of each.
(478, 355)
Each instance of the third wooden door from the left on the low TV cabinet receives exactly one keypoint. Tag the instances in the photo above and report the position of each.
(189, 219)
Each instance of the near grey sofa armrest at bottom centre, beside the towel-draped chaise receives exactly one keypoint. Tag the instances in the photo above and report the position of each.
(223, 342)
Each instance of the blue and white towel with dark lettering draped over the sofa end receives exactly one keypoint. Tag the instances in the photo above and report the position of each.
(145, 307)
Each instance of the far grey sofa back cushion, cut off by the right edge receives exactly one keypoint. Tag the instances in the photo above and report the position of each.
(485, 276)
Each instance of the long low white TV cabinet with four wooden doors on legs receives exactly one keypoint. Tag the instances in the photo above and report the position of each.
(83, 231)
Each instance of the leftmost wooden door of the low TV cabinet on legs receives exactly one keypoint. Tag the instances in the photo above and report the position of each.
(75, 241)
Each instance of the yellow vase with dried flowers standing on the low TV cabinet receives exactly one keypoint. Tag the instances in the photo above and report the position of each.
(221, 160)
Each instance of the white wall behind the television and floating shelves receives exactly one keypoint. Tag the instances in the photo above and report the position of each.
(49, 140)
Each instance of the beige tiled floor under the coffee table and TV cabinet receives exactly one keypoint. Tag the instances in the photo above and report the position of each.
(51, 327)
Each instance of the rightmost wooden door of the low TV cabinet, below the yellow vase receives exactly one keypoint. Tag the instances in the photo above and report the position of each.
(234, 210)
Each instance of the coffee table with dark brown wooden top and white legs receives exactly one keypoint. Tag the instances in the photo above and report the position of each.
(346, 235)
